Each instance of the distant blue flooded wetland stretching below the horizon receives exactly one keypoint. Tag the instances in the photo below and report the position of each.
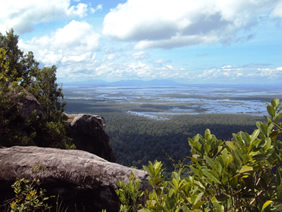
(161, 102)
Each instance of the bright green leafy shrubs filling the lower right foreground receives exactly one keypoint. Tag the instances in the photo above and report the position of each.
(239, 175)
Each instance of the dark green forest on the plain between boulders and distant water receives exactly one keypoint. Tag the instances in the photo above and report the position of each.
(137, 140)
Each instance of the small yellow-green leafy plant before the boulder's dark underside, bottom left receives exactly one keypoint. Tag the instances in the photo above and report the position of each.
(28, 196)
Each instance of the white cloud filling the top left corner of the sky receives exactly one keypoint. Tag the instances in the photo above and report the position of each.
(23, 15)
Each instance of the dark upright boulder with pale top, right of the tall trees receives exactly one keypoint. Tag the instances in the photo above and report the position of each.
(88, 133)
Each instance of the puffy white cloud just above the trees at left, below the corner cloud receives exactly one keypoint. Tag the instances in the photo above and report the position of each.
(73, 43)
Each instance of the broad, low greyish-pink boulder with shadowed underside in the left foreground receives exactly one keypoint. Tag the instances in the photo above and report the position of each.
(83, 180)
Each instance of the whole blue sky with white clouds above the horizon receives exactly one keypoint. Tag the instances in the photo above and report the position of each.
(188, 41)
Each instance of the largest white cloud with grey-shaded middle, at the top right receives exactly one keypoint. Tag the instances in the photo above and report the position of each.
(176, 23)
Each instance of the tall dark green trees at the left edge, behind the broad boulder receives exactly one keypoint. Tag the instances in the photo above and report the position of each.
(20, 74)
